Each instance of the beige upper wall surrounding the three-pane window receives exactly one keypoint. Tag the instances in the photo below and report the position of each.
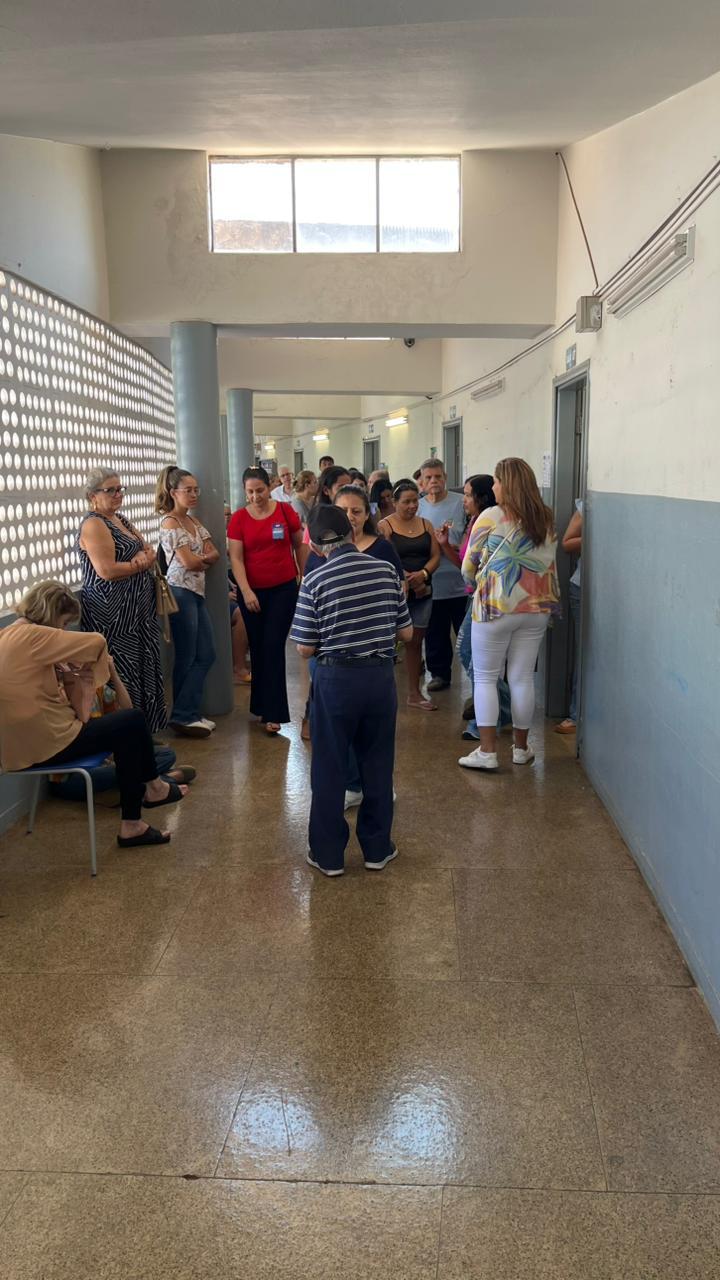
(162, 269)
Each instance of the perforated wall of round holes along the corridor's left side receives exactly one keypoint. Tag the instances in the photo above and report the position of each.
(75, 395)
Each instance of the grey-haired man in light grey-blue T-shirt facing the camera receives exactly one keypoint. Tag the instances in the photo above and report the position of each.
(446, 511)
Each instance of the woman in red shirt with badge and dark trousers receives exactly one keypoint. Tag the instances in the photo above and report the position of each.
(263, 542)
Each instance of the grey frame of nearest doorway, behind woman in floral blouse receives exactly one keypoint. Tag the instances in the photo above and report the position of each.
(563, 481)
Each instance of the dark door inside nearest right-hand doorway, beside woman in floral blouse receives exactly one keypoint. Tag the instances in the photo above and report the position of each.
(568, 488)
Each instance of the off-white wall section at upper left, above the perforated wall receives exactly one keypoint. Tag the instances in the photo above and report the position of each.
(52, 226)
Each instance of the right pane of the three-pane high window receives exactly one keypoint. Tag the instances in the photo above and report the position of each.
(420, 205)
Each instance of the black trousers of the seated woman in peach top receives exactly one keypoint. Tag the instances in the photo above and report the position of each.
(126, 737)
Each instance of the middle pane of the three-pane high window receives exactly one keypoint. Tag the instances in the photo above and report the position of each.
(336, 208)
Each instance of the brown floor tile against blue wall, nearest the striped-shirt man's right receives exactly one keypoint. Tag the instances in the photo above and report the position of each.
(564, 926)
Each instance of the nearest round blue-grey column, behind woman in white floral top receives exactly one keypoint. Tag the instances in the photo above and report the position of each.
(194, 346)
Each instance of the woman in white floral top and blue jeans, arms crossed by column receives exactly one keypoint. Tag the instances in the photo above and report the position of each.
(189, 554)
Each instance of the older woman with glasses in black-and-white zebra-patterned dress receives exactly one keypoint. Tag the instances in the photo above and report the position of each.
(119, 595)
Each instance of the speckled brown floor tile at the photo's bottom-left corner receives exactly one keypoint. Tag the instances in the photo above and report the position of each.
(168, 1229)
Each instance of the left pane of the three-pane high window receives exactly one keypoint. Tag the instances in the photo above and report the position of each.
(252, 203)
